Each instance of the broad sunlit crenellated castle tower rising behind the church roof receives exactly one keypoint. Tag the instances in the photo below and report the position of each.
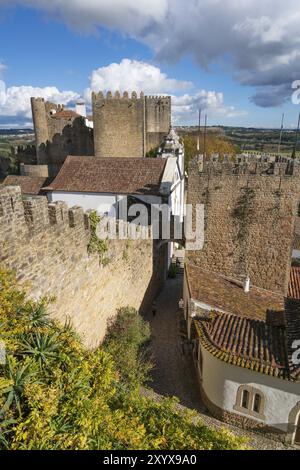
(129, 126)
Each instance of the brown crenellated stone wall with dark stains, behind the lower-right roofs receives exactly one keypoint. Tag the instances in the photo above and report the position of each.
(249, 220)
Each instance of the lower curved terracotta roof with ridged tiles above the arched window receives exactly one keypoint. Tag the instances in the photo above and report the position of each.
(251, 344)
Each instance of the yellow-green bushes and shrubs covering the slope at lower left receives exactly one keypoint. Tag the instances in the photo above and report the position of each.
(55, 394)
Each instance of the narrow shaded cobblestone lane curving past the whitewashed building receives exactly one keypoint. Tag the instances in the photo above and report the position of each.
(174, 373)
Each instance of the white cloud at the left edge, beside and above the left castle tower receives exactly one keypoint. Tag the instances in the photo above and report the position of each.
(15, 101)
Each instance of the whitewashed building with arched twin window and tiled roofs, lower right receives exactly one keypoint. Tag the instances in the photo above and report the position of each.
(246, 351)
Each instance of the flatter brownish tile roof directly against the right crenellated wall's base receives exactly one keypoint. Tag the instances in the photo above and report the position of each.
(228, 296)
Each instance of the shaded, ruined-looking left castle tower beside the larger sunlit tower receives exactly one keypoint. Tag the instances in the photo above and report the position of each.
(59, 132)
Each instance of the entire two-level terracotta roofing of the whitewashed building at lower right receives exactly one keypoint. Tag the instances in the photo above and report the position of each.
(254, 330)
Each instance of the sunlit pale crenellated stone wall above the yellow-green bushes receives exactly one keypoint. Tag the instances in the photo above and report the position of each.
(46, 245)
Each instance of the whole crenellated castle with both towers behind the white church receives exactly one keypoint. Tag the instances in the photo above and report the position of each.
(120, 126)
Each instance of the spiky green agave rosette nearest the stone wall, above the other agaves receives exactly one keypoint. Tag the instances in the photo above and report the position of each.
(43, 347)
